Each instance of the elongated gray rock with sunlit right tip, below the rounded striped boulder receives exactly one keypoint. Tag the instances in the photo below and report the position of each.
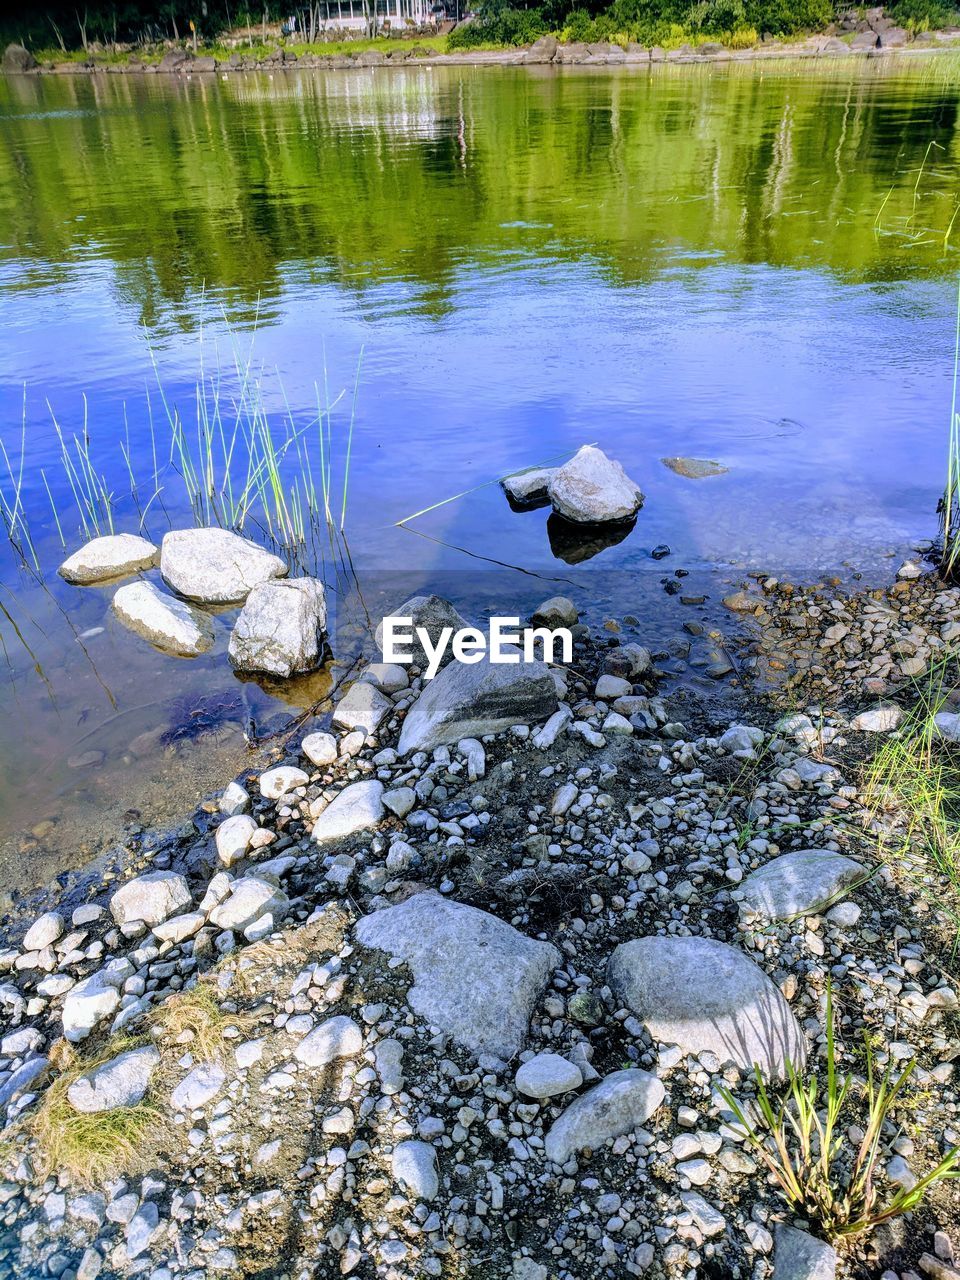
(618, 1105)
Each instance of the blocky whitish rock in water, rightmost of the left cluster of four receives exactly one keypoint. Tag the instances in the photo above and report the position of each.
(281, 629)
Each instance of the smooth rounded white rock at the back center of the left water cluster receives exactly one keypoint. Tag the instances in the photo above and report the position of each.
(216, 566)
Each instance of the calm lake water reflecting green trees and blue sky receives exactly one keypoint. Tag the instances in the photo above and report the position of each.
(751, 264)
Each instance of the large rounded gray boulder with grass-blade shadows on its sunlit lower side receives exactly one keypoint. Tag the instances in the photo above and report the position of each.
(706, 996)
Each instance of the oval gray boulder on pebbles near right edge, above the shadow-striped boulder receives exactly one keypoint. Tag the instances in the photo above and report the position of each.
(798, 884)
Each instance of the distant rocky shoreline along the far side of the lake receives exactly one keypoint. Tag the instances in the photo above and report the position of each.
(881, 43)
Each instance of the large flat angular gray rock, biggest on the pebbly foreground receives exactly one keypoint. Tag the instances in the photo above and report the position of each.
(476, 977)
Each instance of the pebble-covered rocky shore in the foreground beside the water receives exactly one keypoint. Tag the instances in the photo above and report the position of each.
(467, 1009)
